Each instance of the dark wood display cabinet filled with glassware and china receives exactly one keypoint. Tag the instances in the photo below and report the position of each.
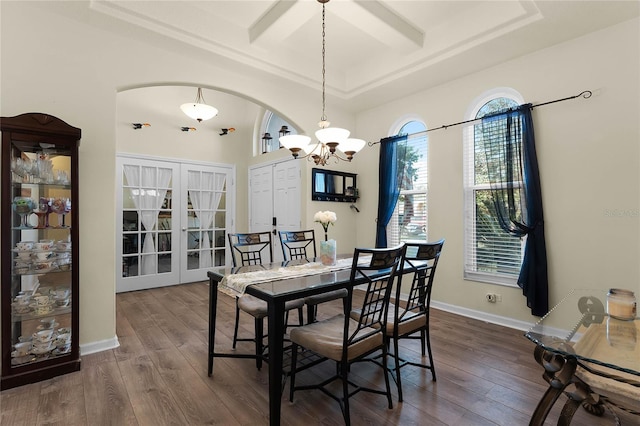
(39, 249)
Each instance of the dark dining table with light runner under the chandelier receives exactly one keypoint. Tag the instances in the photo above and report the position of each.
(276, 283)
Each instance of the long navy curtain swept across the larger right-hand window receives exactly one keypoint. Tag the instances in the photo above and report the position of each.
(514, 177)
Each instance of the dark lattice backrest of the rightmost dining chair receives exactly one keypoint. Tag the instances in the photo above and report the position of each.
(423, 258)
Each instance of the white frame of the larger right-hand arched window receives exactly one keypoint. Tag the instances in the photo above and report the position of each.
(470, 188)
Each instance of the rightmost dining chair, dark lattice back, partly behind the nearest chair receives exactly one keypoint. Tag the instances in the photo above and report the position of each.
(404, 321)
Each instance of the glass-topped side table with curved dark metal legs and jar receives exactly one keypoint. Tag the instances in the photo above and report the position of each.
(591, 357)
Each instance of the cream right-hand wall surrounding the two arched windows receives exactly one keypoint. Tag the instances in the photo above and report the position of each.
(588, 152)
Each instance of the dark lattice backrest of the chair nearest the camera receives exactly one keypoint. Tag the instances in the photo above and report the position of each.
(373, 315)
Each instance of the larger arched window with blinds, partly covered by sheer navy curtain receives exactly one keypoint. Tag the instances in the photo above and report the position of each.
(491, 254)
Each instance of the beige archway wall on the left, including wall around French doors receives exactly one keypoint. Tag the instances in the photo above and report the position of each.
(74, 69)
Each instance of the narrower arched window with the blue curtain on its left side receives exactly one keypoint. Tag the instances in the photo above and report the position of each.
(409, 220)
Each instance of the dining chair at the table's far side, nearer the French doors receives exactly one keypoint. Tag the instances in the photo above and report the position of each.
(255, 249)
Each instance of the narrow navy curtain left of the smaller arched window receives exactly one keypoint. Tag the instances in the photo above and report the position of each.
(389, 179)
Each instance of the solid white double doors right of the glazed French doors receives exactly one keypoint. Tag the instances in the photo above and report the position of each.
(275, 200)
